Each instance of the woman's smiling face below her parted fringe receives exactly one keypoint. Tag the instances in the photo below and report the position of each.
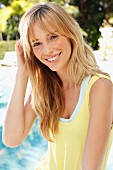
(52, 49)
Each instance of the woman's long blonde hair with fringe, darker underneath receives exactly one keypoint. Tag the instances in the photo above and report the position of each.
(47, 95)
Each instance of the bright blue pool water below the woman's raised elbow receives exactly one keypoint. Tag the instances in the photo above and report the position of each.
(24, 157)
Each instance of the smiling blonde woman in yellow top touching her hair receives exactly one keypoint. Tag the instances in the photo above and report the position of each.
(70, 95)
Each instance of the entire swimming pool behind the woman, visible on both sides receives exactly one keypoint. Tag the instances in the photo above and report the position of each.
(26, 156)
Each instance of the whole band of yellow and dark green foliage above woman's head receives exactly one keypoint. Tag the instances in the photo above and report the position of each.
(89, 13)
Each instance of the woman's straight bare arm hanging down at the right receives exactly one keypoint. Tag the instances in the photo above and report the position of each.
(101, 107)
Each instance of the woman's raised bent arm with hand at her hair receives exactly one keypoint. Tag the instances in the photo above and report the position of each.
(19, 118)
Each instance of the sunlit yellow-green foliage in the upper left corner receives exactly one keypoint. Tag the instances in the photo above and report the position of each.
(12, 15)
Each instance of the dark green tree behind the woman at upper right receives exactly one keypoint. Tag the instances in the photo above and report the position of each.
(90, 19)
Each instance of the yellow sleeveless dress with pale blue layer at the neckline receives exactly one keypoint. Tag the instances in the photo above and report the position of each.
(67, 150)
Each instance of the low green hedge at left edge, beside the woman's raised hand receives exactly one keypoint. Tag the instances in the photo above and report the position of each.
(6, 46)
